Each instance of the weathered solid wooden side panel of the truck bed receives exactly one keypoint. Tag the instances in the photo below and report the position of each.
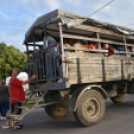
(90, 70)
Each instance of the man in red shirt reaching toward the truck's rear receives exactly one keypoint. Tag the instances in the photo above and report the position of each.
(17, 93)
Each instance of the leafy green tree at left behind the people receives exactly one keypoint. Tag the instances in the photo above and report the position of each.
(10, 58)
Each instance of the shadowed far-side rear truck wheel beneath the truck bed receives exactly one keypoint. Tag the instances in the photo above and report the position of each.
(56, 111)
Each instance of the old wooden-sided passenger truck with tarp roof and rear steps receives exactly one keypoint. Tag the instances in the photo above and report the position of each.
(77, 79)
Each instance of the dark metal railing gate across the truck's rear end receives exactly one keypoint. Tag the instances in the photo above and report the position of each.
(45, 64)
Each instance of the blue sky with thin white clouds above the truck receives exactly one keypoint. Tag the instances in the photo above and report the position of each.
(17, 15)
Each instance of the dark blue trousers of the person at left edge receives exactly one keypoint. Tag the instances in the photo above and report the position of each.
(4, 108)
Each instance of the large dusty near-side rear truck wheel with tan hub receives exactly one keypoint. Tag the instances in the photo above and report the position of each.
(90, 109)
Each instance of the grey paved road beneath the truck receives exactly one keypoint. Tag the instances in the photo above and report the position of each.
(119, 119)
